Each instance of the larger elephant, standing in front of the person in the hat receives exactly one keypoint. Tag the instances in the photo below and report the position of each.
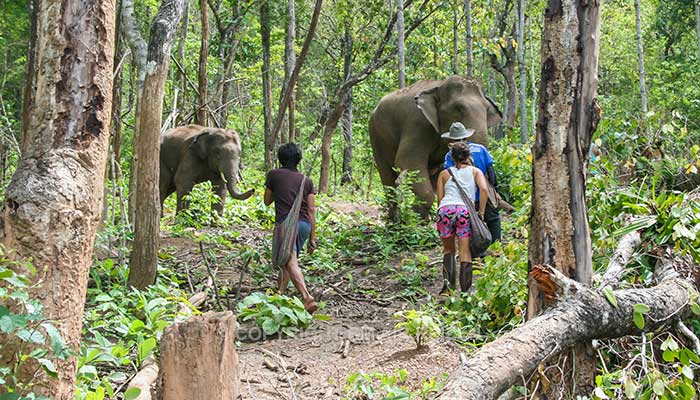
(405, 129)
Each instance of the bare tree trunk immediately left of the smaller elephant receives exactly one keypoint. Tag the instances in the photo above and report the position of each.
(144, 255)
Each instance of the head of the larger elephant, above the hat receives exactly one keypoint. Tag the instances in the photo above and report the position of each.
(459, 99)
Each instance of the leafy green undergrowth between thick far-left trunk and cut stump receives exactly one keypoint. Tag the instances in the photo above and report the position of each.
(122, 327)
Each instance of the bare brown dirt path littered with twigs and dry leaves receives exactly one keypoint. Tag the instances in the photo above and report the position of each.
(358, 337)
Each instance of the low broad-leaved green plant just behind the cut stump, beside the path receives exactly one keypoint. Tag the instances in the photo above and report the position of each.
(275, 313)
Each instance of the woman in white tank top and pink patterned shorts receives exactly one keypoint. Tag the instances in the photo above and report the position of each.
(453, 217)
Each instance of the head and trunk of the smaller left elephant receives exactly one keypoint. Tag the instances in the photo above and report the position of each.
(220, 149)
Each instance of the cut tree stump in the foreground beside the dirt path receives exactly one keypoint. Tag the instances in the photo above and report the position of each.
(199, 359)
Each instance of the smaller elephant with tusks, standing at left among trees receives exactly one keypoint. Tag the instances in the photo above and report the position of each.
(192, 154)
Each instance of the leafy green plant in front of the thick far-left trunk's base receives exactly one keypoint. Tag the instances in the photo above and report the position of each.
(33, 339)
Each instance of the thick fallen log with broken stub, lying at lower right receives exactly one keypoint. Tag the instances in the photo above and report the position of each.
(579, 315)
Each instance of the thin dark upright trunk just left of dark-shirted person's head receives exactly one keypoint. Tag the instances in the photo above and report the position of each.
(267, 85)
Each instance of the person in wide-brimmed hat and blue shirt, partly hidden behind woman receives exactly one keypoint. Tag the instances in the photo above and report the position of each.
(482, 159)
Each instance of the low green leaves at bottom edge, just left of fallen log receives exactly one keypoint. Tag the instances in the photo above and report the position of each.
(378, 385)
